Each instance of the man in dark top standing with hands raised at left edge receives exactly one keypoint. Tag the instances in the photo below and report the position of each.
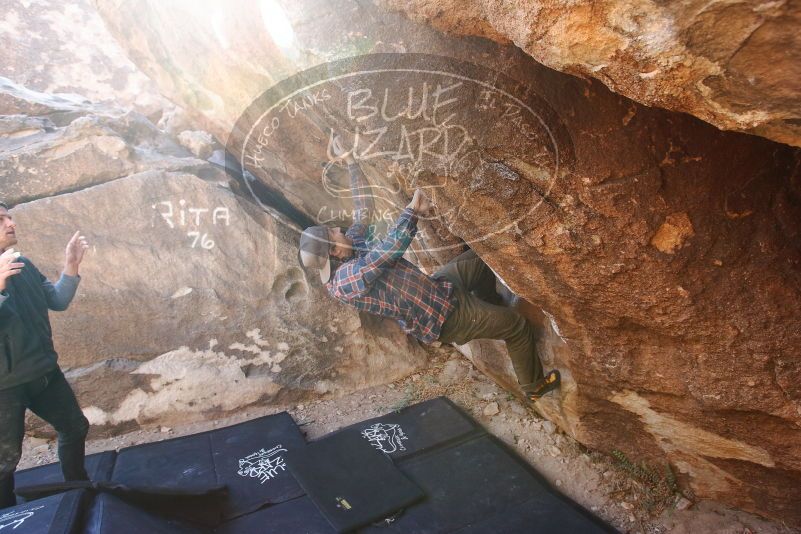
(30, 378)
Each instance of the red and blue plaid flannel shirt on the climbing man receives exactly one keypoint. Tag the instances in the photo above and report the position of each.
(380, 281)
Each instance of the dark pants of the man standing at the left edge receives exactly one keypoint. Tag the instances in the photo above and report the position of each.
(51, 398)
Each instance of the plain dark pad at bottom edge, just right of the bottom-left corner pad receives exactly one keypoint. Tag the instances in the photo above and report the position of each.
(110, 515)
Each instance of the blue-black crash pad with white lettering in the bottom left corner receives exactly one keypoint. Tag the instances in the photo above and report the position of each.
(59, 514)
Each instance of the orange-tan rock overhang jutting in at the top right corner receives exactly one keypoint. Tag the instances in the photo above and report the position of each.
(736, 65)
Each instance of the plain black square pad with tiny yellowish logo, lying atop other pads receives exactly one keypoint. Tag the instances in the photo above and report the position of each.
(352, 483)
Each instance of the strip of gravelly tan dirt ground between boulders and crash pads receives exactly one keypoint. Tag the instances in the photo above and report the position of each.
(596, 481)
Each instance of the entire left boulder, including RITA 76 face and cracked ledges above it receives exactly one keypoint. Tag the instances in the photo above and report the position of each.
(192, 303)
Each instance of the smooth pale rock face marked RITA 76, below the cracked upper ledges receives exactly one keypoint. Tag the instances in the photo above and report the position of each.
(243, 323)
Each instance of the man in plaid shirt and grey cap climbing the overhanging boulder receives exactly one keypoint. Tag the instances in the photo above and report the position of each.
(373, 276)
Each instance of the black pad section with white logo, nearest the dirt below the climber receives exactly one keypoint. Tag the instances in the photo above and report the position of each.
(421, 427)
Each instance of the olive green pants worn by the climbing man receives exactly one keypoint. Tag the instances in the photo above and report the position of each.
(475, 318)
